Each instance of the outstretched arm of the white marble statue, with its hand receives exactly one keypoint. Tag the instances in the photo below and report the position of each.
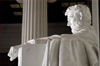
(14, 50)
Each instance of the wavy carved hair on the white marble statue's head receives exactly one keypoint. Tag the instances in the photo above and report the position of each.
(83, 11)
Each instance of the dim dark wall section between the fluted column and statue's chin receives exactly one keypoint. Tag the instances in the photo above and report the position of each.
(58, 28)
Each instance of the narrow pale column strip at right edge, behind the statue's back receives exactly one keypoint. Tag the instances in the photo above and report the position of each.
(95, 15)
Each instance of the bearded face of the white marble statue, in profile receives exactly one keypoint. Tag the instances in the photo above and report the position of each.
(74, 19)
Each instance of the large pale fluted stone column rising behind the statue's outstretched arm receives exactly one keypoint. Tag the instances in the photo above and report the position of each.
(34, 23)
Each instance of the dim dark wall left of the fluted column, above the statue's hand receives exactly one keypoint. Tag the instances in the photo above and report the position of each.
(10, 35)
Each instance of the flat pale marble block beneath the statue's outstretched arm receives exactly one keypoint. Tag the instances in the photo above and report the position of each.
(32, 55)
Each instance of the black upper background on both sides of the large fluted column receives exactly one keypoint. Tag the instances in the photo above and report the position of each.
(55, 11)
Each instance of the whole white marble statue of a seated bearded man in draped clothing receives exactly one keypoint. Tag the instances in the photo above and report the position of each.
(77, 49)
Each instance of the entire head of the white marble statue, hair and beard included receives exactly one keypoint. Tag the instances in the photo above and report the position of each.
(78, 16)
